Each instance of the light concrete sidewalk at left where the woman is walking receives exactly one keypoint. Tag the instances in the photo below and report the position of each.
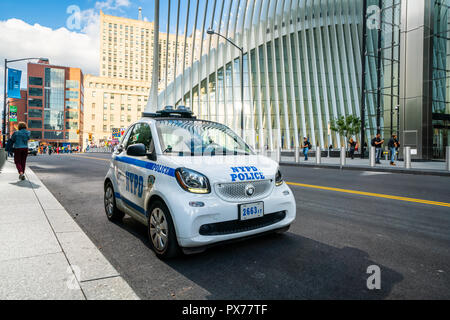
(44, 254)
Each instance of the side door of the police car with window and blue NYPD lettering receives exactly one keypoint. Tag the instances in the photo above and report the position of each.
(136, 169)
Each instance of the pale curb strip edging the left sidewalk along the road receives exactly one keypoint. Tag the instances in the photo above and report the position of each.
(90, 273)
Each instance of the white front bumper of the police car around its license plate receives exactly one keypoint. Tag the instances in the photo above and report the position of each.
(218, 220)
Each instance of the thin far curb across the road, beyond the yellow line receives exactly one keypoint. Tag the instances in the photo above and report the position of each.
(361, 168)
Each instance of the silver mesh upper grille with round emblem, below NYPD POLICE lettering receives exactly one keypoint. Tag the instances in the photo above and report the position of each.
(236, 191)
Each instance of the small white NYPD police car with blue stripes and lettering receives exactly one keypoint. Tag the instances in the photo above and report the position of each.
(194, 183)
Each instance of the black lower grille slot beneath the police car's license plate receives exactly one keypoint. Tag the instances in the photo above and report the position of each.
(235, 226)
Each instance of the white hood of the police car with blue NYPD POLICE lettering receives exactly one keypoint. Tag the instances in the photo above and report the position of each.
(222, 169)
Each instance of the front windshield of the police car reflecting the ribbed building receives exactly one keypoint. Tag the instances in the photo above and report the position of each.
(196, 137)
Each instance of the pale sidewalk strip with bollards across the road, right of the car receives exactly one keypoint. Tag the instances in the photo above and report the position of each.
(419, 167)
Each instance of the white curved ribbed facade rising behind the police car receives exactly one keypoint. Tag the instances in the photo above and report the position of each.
(302, 68)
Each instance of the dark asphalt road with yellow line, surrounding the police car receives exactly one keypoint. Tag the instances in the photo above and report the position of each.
(325, 254)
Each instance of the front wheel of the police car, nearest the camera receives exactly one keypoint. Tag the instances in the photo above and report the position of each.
(161, 231)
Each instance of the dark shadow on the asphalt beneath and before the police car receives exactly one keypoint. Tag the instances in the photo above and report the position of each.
(275, 266)
